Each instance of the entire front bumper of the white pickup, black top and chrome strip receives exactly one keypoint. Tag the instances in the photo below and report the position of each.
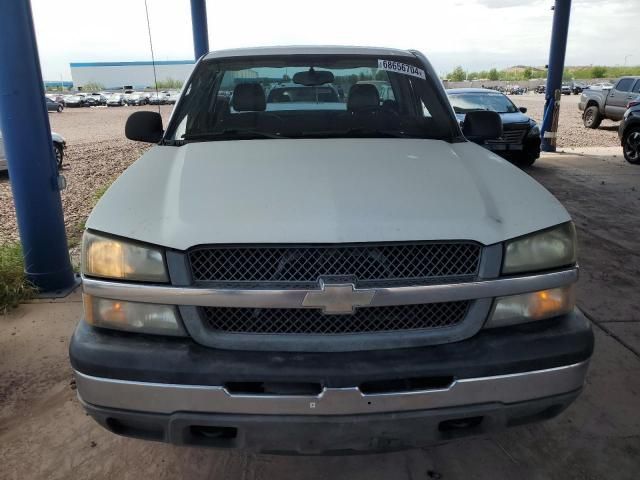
(160, 388)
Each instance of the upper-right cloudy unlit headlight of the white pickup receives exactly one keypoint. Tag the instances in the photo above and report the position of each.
(552, 248)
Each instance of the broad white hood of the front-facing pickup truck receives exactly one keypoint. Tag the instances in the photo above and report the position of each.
(323, 191)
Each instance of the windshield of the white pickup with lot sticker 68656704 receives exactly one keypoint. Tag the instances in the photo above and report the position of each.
(309, 96)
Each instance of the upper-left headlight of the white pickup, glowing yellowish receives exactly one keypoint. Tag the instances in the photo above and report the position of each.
(111, 258)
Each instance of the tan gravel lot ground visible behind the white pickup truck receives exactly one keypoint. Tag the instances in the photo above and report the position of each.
(98, 152)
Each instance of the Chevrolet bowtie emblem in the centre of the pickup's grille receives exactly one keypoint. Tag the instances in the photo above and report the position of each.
(339, 298)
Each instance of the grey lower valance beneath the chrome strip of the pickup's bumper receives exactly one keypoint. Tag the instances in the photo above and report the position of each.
(327, 435)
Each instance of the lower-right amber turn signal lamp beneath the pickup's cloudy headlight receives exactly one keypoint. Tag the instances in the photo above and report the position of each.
(529, 307)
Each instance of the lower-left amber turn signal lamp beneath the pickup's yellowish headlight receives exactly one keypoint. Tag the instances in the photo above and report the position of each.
(131, 316)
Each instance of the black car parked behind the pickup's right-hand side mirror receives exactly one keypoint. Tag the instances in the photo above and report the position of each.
(520, 141)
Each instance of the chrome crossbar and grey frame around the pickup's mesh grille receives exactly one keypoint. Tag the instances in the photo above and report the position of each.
(189, 298)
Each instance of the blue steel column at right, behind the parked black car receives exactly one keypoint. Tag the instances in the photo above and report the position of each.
(556, 69)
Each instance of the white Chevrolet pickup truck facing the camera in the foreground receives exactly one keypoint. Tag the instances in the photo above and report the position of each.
(312, 274)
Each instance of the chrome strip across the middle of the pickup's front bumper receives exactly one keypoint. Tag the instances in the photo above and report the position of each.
(171, 398)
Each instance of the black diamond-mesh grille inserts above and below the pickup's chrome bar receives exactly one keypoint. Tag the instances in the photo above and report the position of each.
(288, 267)
